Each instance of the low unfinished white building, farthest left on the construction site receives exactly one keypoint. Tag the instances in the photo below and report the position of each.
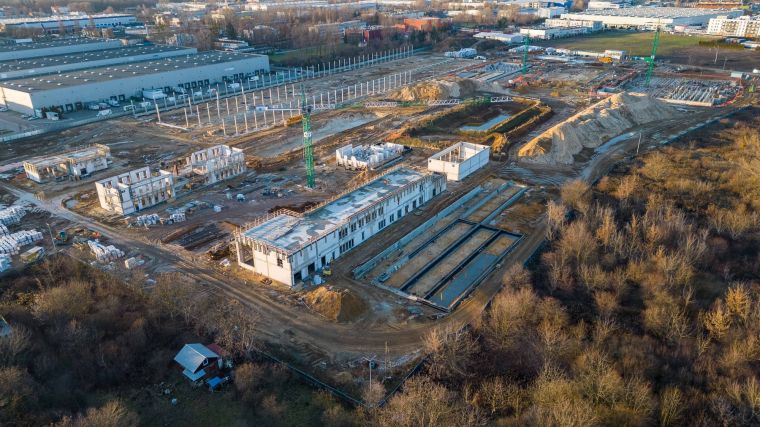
(71, 165)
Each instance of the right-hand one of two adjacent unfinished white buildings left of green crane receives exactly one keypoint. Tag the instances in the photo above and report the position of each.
(217, 163)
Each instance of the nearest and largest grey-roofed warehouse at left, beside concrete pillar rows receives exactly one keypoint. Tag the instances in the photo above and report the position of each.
(73, 90)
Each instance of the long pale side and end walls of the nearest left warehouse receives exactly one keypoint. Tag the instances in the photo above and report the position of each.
(123, 89)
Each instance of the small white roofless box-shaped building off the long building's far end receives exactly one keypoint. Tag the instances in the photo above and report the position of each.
(460, 160)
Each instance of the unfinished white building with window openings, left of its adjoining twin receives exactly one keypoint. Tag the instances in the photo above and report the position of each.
(136, 190)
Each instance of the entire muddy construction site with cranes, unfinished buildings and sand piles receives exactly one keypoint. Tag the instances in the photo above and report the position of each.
(354, 210)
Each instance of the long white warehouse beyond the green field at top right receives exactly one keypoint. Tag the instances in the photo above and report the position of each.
(651, 17)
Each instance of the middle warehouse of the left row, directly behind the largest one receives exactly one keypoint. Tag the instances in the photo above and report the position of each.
(84, 60)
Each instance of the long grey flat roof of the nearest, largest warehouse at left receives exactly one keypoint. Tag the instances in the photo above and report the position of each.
(122, 71)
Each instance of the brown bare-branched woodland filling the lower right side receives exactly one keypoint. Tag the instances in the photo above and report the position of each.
(643, 310)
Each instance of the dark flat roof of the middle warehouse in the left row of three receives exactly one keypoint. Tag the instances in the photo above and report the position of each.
(84, 57)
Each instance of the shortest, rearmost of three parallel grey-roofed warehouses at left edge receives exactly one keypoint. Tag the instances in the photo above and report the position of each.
(57, 47)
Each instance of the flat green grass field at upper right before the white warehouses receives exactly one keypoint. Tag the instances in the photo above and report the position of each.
(635, 43)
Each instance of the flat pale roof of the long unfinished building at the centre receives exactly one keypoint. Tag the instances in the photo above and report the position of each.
(290, 233)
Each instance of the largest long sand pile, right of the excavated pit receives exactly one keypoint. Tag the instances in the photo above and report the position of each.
(594, 126)
